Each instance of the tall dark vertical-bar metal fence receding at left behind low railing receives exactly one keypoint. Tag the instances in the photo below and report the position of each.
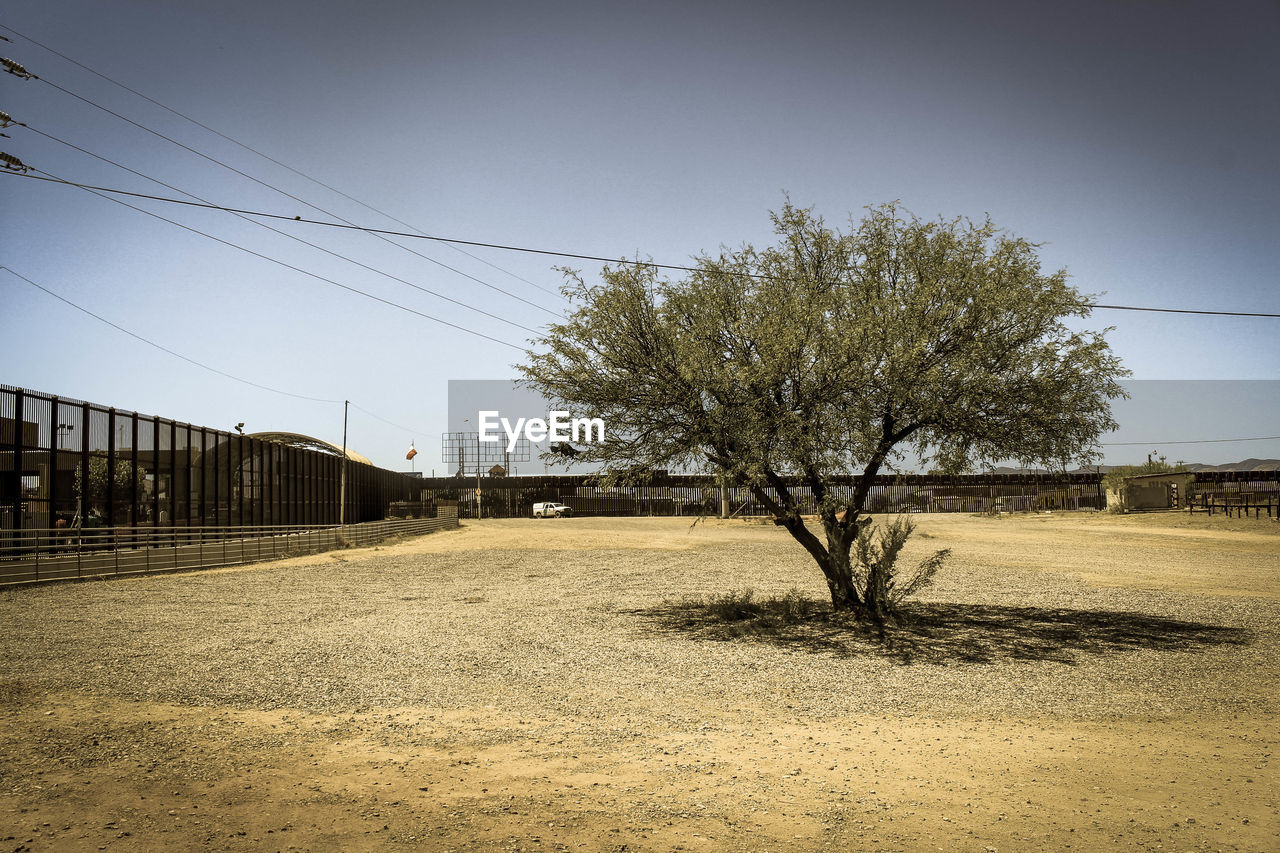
(66, 463)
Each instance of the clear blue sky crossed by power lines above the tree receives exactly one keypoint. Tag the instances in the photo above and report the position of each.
(1136, 140)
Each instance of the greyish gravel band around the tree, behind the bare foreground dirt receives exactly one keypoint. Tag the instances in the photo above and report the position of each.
(618, 632)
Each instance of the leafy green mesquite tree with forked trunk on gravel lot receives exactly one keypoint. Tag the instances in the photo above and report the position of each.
(835, 353)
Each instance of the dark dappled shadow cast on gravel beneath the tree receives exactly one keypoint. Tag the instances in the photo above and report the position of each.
(939, 633)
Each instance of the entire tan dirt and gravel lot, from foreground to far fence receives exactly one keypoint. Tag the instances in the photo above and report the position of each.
(1072, 682)
